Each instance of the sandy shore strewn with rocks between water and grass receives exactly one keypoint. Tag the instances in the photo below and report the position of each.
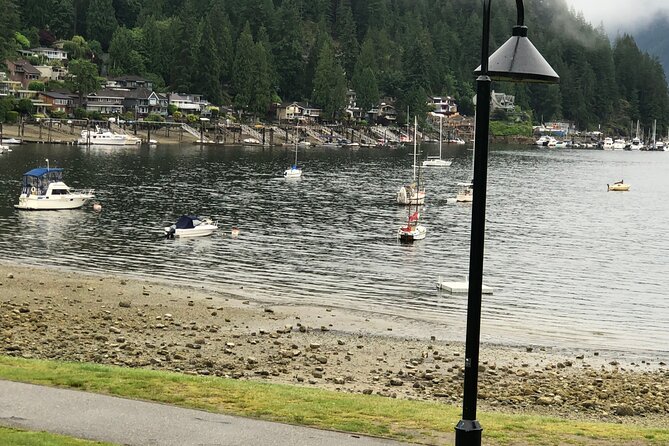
(133, 323)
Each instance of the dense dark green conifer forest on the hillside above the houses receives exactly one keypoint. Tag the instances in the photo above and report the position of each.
(251, 53)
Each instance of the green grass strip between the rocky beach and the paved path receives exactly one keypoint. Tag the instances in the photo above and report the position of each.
(423, 422)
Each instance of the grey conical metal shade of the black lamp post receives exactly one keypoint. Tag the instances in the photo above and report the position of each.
(519, 61)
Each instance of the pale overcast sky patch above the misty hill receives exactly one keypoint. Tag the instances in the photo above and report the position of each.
(620, 14)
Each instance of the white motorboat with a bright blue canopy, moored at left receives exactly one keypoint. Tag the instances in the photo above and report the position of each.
(43, 189)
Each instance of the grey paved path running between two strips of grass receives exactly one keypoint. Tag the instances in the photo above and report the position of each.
(130, 422)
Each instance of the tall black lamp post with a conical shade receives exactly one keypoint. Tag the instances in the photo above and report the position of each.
(516, 61)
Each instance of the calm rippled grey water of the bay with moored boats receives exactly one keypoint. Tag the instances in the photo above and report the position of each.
(572, 264)
